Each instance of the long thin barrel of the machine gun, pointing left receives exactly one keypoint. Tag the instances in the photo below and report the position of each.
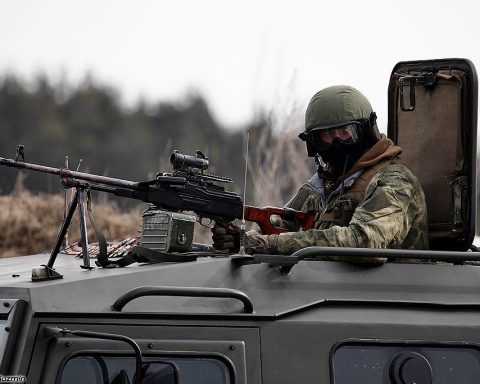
(65, 173)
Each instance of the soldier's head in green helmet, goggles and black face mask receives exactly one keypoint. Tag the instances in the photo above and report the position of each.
(340, 126)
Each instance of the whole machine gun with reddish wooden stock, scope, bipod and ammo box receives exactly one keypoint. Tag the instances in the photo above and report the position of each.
(187, 188)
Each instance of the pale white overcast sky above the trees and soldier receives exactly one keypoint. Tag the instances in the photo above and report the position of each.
(242, 55)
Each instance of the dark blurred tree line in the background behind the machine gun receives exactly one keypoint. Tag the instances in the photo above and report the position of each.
(88, 122)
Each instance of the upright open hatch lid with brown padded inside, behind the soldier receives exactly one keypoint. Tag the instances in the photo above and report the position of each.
(432, 116)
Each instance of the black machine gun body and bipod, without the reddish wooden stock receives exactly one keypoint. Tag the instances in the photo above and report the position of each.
(187, 188)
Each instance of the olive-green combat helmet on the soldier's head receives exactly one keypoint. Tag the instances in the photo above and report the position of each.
(339, 106)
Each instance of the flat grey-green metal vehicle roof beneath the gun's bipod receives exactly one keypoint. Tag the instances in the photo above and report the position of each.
(273, 293)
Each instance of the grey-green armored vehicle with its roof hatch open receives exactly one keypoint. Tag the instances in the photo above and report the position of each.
(277, 319)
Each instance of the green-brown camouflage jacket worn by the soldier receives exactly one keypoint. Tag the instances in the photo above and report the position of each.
(390, 213)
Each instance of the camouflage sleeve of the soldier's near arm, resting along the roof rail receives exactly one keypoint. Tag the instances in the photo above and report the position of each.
(382, 220)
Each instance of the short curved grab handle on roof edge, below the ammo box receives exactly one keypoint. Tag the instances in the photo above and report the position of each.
(183, 291)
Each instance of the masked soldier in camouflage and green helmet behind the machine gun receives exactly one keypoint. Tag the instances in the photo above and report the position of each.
(363, 195)
